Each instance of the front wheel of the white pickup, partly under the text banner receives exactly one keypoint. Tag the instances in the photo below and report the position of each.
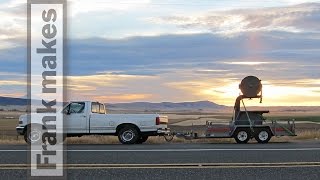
(34, 135)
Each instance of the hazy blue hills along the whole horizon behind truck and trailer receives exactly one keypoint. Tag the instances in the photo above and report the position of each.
(13, 103)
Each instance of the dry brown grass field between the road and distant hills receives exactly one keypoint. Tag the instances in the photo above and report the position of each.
(305, 131)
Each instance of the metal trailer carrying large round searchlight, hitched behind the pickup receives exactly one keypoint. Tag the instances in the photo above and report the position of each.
(245, 124)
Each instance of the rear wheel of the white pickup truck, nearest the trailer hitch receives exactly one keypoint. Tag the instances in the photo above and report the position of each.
(128, 135)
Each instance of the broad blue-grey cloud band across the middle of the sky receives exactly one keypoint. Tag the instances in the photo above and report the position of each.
(293, 55)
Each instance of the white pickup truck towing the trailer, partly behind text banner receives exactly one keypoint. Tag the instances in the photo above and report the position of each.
(91, 118)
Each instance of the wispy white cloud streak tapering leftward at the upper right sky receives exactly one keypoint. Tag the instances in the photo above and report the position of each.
(297, 18)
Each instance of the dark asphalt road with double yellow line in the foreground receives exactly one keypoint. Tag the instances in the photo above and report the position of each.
(178, 161)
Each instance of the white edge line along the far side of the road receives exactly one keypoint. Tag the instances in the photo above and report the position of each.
(170, 150)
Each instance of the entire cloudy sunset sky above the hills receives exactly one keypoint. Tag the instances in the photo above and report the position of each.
(177, 50)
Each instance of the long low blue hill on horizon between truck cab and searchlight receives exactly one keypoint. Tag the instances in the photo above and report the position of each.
(166, 106)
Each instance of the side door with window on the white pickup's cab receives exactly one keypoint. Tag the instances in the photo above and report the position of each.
(75, 118)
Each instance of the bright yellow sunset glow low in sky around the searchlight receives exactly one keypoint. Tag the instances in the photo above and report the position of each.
(273, 95)
